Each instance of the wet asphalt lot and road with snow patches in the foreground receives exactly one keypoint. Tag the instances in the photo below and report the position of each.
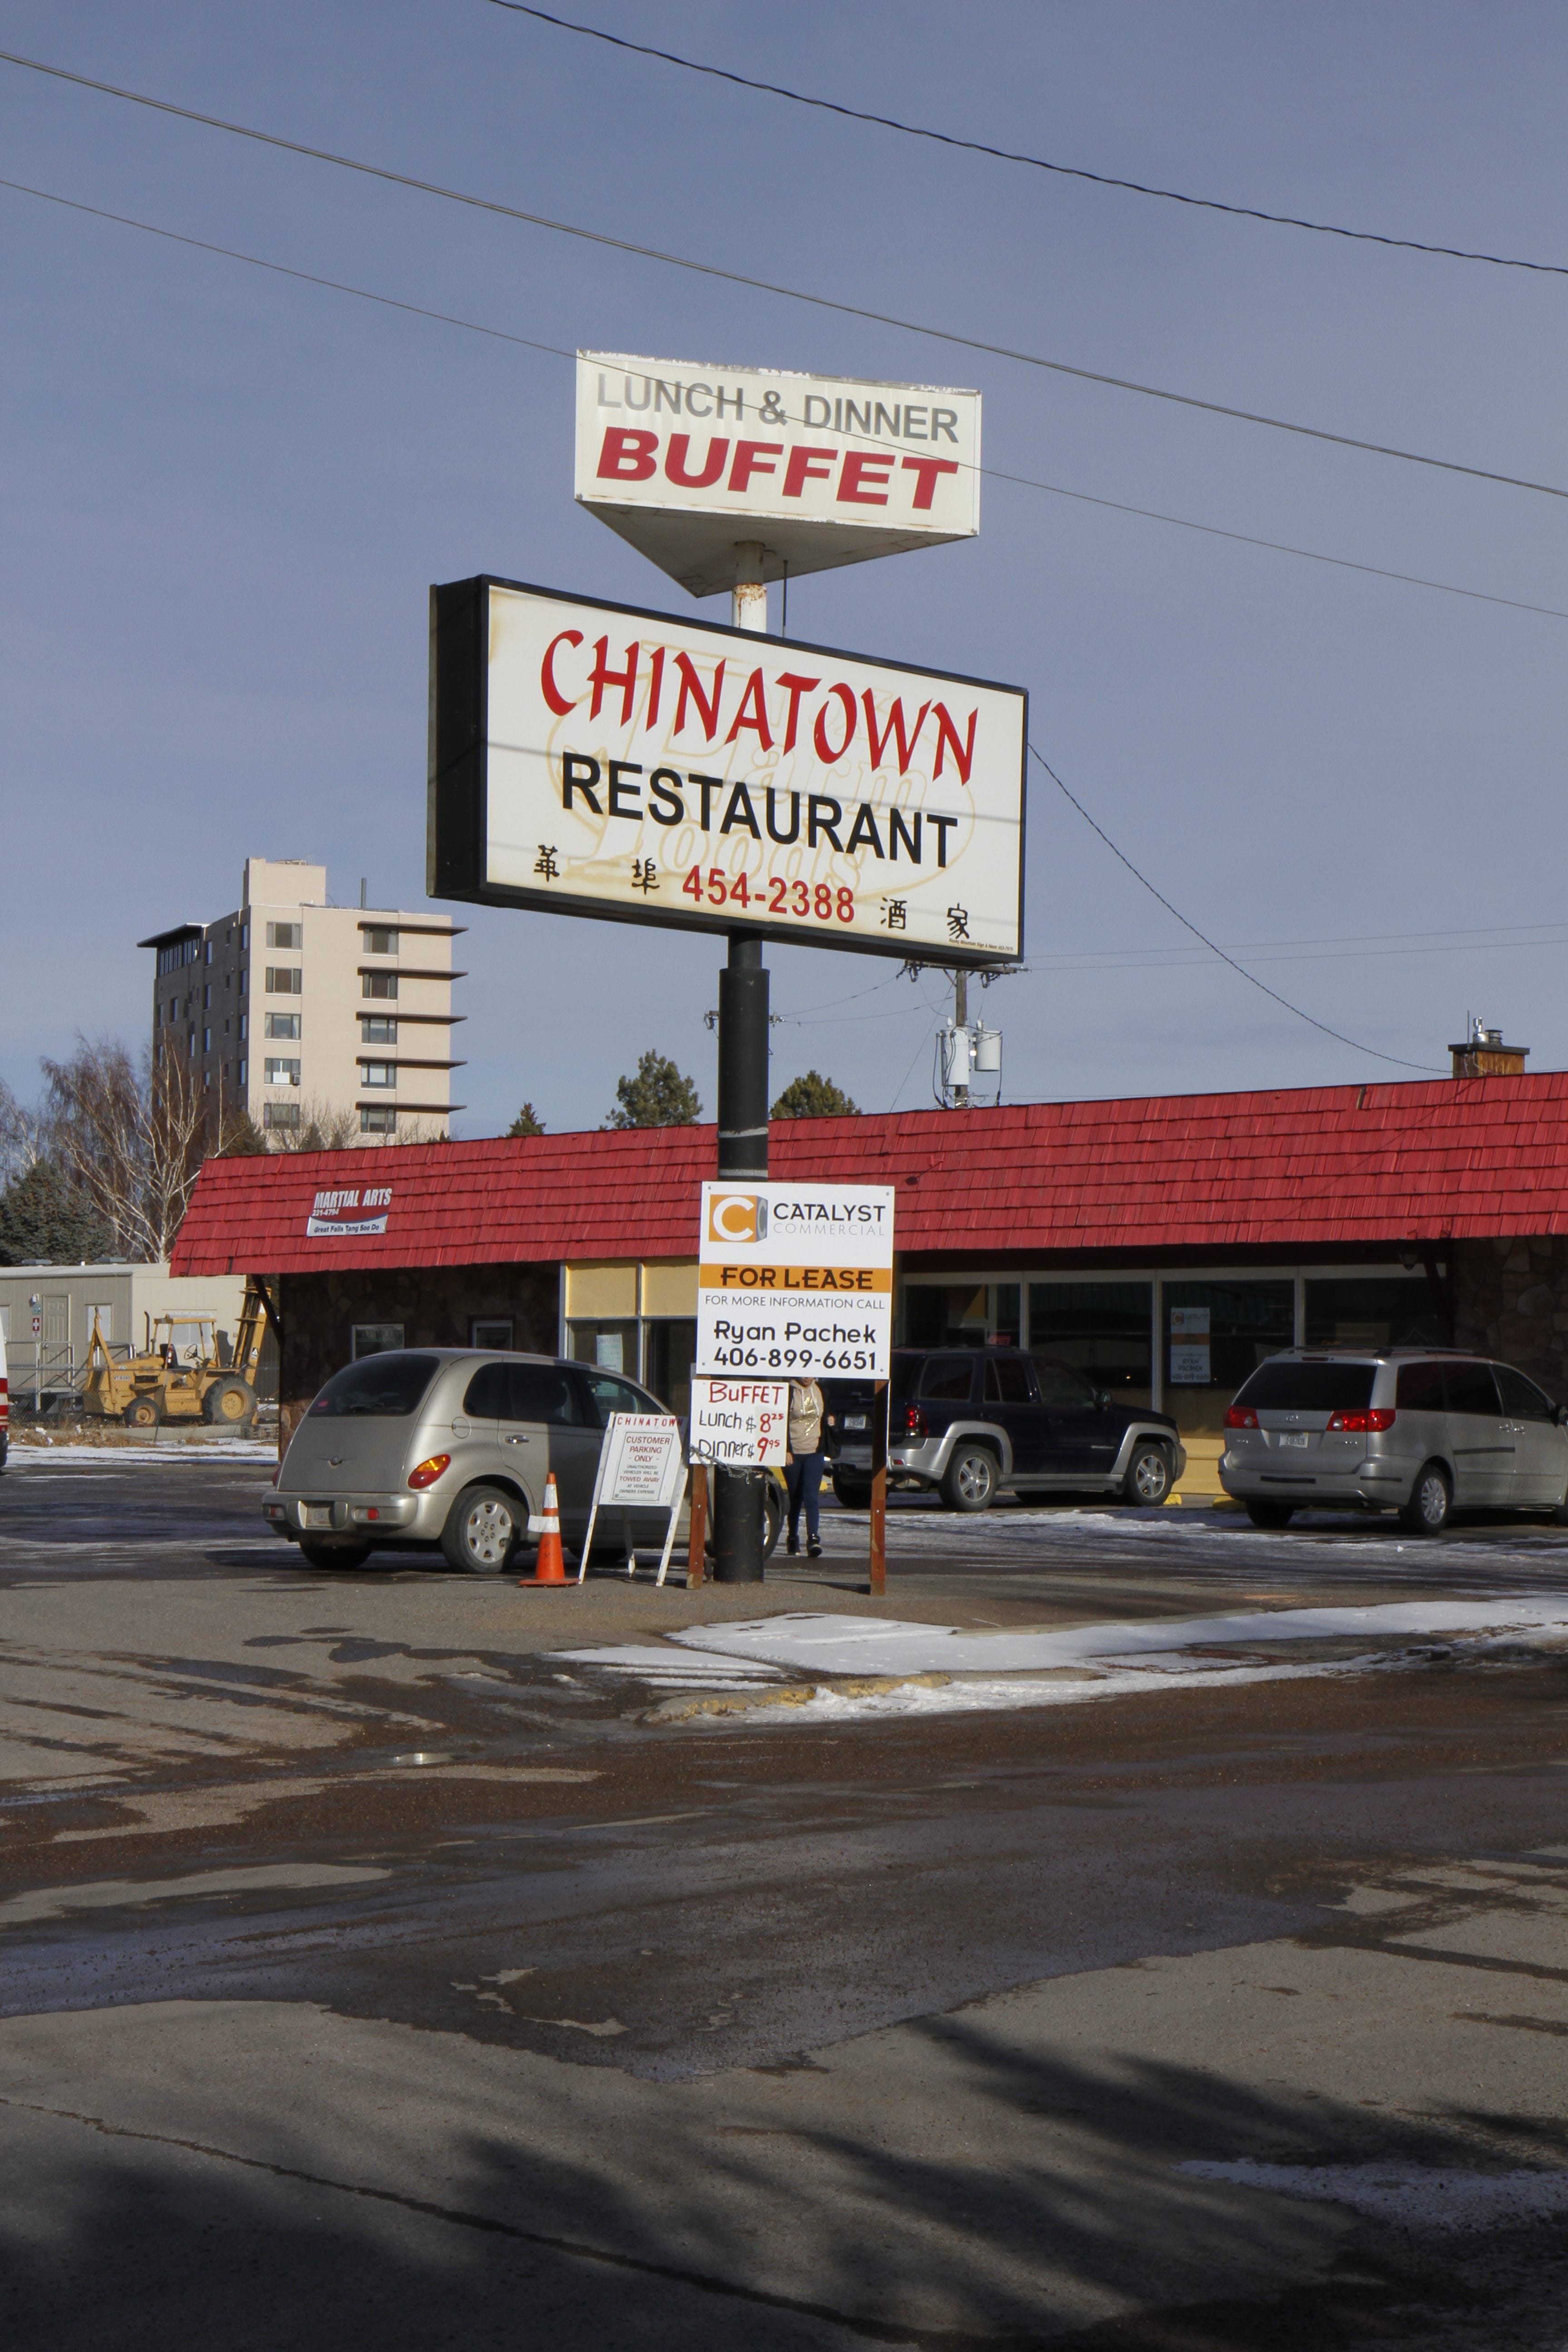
(413, 1960)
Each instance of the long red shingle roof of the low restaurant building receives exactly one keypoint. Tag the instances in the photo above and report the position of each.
(1306, 1168)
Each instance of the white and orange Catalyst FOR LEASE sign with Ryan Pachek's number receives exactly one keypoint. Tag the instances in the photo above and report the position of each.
(796, 1281)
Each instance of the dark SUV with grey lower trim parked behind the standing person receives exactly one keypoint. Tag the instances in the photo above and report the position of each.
(970, 1422)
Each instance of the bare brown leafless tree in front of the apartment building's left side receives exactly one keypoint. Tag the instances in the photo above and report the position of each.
(128, 1140)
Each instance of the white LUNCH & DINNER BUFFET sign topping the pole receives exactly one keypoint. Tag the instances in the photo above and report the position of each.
(688, 462)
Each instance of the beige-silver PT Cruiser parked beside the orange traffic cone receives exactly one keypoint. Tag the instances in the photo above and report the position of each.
(450, 1448)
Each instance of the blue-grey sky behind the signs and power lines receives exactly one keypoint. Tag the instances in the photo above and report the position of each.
(227, 495)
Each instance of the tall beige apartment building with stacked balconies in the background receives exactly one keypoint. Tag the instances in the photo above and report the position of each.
(290, 1008)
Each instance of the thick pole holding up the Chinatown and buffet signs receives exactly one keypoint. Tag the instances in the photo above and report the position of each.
(739, 1514)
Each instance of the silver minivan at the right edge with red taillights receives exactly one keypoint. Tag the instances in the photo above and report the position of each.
(1402, 1429)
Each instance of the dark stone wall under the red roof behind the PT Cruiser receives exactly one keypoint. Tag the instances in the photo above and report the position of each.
(434, 1304)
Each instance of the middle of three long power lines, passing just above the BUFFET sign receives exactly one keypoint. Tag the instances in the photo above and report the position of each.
(765, 286)
